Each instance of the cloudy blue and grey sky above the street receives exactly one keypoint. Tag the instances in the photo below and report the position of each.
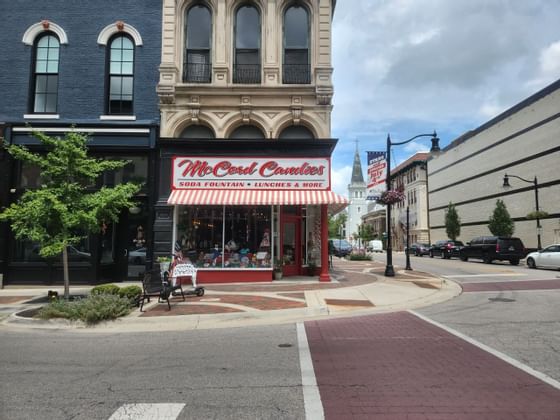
(408, 67)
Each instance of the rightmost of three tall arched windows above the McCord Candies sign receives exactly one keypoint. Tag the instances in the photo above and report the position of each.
(296, 68)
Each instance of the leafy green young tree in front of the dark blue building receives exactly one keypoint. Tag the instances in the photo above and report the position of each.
(65, 210)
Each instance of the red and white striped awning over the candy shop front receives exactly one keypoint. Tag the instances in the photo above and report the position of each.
(209, 197)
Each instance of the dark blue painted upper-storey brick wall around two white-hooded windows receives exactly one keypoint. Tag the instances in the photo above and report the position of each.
(82, 60)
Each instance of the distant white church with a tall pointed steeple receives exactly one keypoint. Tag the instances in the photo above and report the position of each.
(357, 196)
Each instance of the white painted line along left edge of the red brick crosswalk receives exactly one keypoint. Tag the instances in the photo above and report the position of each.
(311, 397)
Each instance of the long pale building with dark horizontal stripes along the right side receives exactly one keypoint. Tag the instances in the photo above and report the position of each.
(522, 141)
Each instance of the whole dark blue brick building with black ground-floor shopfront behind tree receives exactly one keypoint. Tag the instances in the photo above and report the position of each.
(92, 67)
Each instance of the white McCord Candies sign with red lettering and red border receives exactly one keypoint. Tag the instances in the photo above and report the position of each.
(252, 173)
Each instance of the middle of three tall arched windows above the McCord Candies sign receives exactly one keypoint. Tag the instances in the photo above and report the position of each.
(246, 66)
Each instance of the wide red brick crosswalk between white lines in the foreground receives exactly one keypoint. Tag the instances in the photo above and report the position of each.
(405, 368)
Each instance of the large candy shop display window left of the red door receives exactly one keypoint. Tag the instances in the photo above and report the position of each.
(225, 236)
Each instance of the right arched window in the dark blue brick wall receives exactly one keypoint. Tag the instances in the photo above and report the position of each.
(120, 68)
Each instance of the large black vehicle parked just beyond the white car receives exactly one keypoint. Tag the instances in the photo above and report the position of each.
(490, 248)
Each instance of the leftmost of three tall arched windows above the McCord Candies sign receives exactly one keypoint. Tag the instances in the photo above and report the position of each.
(198, 58)
